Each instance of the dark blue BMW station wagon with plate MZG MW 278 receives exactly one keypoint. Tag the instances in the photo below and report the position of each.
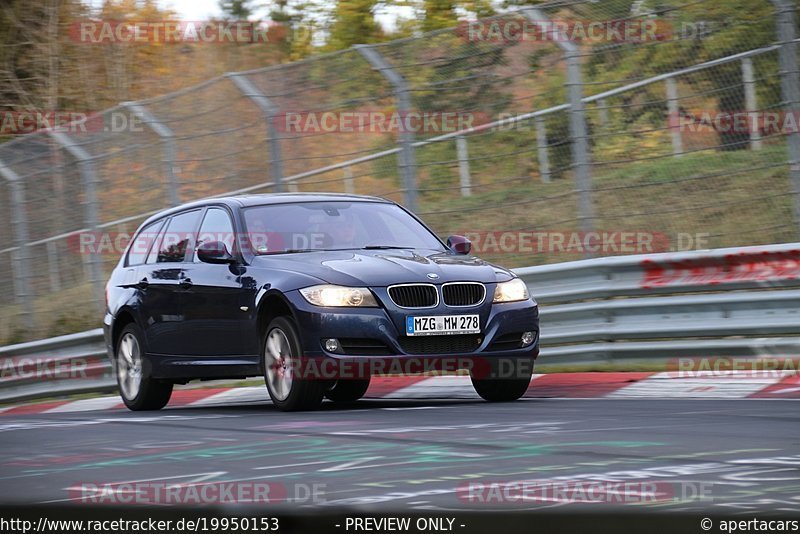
(303, 289)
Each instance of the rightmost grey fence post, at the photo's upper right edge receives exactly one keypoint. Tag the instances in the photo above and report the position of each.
(790, 87)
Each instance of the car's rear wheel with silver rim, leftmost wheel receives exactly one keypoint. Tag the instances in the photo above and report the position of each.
(138, 390)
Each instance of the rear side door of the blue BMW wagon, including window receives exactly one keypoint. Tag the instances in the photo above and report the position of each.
(162, 280)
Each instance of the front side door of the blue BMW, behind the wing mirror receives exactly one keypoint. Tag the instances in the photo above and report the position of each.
(212, 303)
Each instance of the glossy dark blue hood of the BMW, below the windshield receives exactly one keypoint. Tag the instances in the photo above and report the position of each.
(380, 268)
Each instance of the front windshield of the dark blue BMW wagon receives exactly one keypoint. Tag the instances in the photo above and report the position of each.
(337, 225)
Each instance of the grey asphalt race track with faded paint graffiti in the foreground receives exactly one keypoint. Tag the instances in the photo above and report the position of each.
(724, 456)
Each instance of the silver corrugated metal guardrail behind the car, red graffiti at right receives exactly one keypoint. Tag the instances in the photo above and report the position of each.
(738, 302)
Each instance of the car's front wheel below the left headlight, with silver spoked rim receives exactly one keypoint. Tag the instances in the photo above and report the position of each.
(281, 358)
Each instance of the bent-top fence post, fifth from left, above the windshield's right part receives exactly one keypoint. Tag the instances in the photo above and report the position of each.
(401, 91)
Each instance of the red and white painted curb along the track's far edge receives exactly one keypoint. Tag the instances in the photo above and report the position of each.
(622, 385)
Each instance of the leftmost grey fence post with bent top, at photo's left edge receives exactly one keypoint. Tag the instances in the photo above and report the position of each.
(21, 261)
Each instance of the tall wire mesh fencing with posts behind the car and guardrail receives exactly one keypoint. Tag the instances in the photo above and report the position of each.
(569, 130)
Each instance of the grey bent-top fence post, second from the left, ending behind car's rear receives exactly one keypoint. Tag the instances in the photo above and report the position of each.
(91, 210)
